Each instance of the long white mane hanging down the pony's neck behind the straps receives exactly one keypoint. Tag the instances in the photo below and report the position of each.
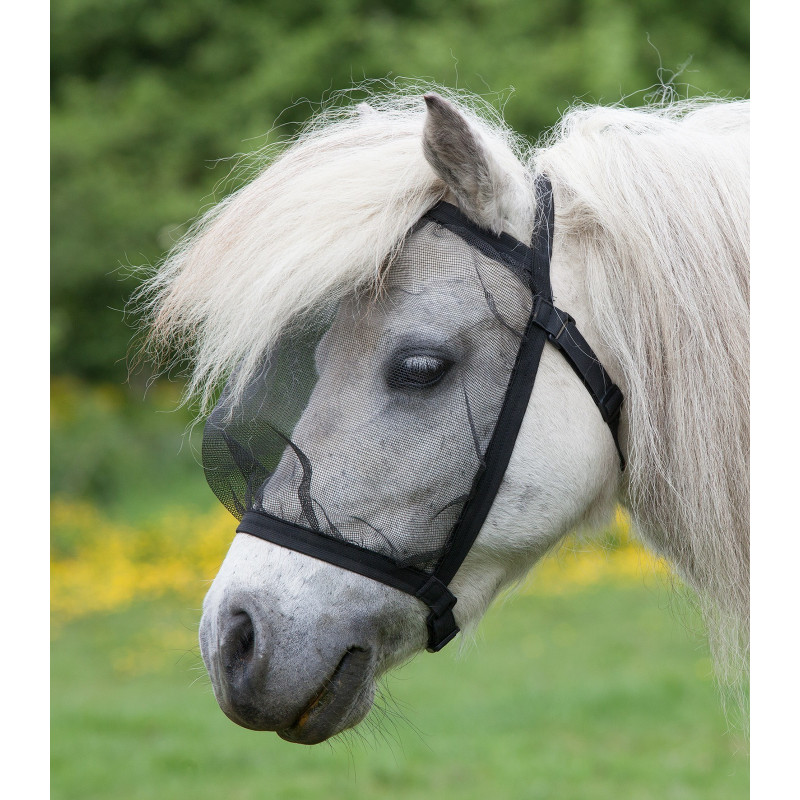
(657, 201)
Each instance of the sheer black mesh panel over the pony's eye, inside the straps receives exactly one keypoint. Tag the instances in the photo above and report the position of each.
(369, 424)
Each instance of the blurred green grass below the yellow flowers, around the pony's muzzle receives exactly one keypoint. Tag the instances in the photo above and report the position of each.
(601, 694)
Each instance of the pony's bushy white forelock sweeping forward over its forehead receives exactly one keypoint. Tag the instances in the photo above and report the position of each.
(321, 220)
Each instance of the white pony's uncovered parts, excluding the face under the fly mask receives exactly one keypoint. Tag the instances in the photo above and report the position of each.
(650, 256)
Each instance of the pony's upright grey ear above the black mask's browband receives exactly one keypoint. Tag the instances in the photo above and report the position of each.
(455, 150)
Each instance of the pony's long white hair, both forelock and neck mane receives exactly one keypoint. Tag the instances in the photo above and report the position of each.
(656, 200)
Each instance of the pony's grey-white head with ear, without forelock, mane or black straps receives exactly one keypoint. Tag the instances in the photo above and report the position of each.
(407, 387)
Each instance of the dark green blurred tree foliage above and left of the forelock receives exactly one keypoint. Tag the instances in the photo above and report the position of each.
(151, 99)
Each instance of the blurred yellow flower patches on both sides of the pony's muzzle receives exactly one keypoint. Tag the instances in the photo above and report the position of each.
(100, 565)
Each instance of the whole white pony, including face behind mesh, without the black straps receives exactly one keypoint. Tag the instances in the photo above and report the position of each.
(649, 242)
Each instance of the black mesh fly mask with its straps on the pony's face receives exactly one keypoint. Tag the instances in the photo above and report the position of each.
(375, 436)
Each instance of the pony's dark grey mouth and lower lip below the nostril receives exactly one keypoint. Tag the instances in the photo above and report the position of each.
(342, 701)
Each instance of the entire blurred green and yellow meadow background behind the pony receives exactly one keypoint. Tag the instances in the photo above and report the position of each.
(151, 104)
